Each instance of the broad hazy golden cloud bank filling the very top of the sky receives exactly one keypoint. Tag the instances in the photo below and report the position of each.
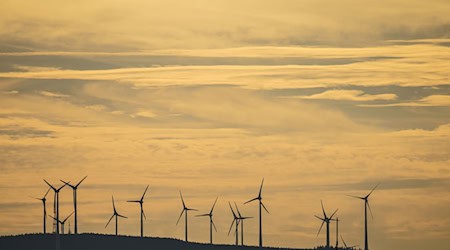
(217, 24)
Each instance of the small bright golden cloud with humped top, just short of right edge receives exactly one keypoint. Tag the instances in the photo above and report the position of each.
(348, 95)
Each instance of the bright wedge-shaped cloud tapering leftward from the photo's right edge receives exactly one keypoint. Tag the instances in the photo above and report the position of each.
(429, 101)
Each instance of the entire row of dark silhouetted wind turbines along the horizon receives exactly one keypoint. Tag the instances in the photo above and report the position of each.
(238, 218)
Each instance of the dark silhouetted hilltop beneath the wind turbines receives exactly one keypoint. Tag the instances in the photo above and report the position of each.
(106, 242)
